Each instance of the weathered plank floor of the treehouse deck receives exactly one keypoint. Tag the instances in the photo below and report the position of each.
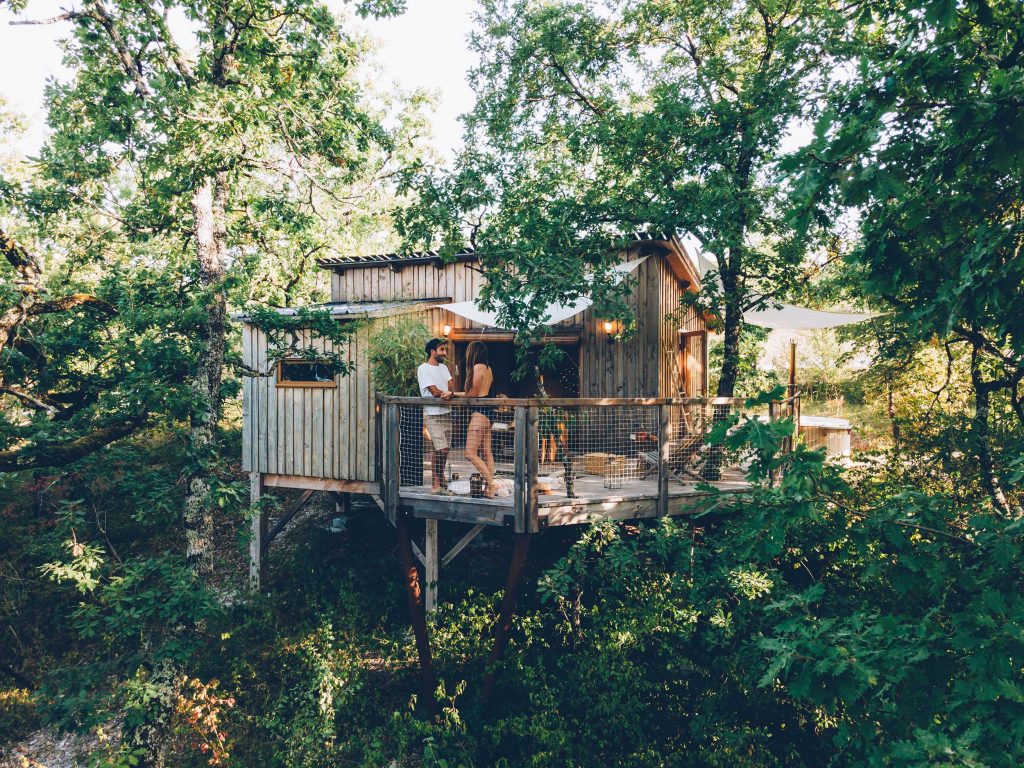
(636, 499)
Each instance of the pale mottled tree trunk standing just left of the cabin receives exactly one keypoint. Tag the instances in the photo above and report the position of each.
(208, 208)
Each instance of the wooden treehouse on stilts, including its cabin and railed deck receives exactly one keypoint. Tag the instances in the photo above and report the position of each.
(619, 433)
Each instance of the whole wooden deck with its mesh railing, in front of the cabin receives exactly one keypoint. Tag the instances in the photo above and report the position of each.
(657, 447)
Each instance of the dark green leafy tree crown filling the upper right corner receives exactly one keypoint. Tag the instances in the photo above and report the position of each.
(923, 142)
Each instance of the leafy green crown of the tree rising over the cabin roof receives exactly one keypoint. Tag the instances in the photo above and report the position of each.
(598, 120)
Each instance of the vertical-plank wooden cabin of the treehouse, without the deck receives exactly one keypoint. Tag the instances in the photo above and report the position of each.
(303, 433)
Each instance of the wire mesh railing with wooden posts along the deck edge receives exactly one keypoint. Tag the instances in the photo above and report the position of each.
(525, 452)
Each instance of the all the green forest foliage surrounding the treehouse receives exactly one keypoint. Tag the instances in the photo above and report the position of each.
(866, 616)
